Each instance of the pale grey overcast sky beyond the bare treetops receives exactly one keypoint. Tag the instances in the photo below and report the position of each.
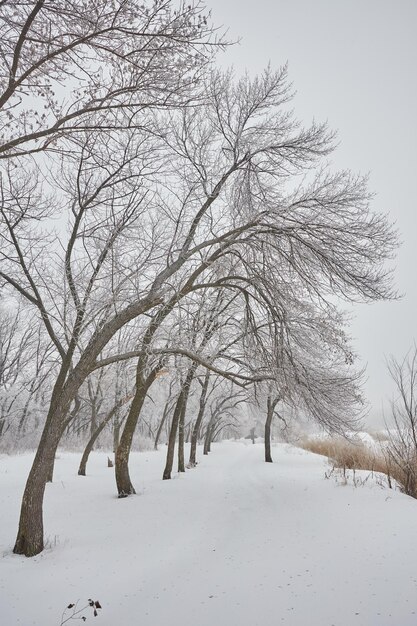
(353, 63)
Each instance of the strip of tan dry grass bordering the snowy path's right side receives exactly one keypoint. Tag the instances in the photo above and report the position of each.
(355, 455)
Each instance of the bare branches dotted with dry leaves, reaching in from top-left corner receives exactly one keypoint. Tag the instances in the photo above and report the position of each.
(75, 66)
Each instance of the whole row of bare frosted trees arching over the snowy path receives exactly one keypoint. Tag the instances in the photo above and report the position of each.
(160, 217)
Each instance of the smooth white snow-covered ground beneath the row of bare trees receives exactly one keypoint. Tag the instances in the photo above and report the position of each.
(233, 541)
